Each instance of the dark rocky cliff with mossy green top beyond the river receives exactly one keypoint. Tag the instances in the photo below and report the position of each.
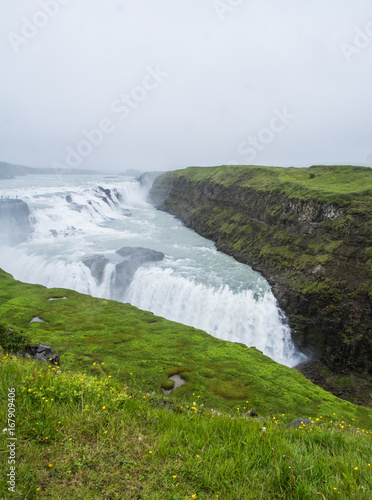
(309, 232)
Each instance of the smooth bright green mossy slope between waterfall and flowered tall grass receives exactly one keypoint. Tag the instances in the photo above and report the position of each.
(142, 350)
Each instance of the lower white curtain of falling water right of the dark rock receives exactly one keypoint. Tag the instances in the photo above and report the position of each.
(219, 311)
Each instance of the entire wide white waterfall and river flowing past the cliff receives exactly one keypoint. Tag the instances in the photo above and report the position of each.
(79, 223)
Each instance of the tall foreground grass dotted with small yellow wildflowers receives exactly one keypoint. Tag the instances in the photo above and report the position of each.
(82, 436)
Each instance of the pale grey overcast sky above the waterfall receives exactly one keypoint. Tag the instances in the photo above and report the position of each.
(164, 84)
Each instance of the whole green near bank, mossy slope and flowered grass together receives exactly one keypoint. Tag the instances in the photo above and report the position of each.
(99, 425)
